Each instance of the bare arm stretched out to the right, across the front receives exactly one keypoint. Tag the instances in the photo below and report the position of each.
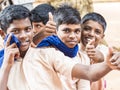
(94, 71)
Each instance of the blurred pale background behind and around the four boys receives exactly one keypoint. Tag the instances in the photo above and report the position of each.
(108, 8)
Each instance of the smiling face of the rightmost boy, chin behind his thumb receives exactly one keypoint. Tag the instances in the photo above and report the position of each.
(91, 30)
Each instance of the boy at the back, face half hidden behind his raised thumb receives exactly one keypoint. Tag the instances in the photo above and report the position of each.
(42, 22)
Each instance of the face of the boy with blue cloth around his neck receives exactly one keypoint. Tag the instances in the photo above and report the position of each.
(69, 34)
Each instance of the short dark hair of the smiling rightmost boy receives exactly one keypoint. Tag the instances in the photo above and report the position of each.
(95, 17)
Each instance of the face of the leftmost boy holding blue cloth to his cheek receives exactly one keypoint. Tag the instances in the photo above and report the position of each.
(22, 29)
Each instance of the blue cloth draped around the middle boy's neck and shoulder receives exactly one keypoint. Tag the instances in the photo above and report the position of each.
(56, 42)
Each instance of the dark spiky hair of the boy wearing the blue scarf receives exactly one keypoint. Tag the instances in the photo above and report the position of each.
(66, 14)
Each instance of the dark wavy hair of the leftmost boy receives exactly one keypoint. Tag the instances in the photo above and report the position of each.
(12, 12)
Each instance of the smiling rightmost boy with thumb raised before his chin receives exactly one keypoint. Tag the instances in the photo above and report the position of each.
(93, 28)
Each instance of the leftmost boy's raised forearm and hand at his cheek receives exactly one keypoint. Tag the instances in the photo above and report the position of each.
(11, 51)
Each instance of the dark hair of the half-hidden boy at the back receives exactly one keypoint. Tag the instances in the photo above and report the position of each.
(40, 13)
